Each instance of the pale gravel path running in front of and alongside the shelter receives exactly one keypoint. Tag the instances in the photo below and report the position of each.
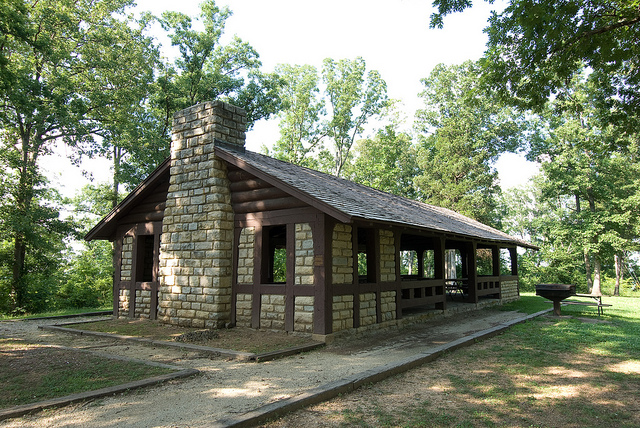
(227, 387)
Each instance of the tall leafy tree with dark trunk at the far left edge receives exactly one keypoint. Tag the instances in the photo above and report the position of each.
(53, 62)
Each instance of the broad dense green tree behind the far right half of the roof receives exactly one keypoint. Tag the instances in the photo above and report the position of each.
(462, 131)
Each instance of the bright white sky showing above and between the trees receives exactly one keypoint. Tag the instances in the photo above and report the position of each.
(393, 37)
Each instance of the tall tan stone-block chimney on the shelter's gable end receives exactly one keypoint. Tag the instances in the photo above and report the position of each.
(197, 231)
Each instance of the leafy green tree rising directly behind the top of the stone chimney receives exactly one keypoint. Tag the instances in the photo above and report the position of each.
(207, 70)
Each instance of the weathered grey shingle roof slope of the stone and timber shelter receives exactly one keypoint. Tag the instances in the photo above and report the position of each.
(365, 203)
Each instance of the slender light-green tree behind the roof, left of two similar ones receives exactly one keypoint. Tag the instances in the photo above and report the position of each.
(301, 132)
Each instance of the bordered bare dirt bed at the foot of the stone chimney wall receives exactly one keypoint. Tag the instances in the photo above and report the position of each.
(238, 338)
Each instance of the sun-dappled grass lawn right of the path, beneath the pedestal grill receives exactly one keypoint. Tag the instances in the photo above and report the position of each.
(579, 370)
